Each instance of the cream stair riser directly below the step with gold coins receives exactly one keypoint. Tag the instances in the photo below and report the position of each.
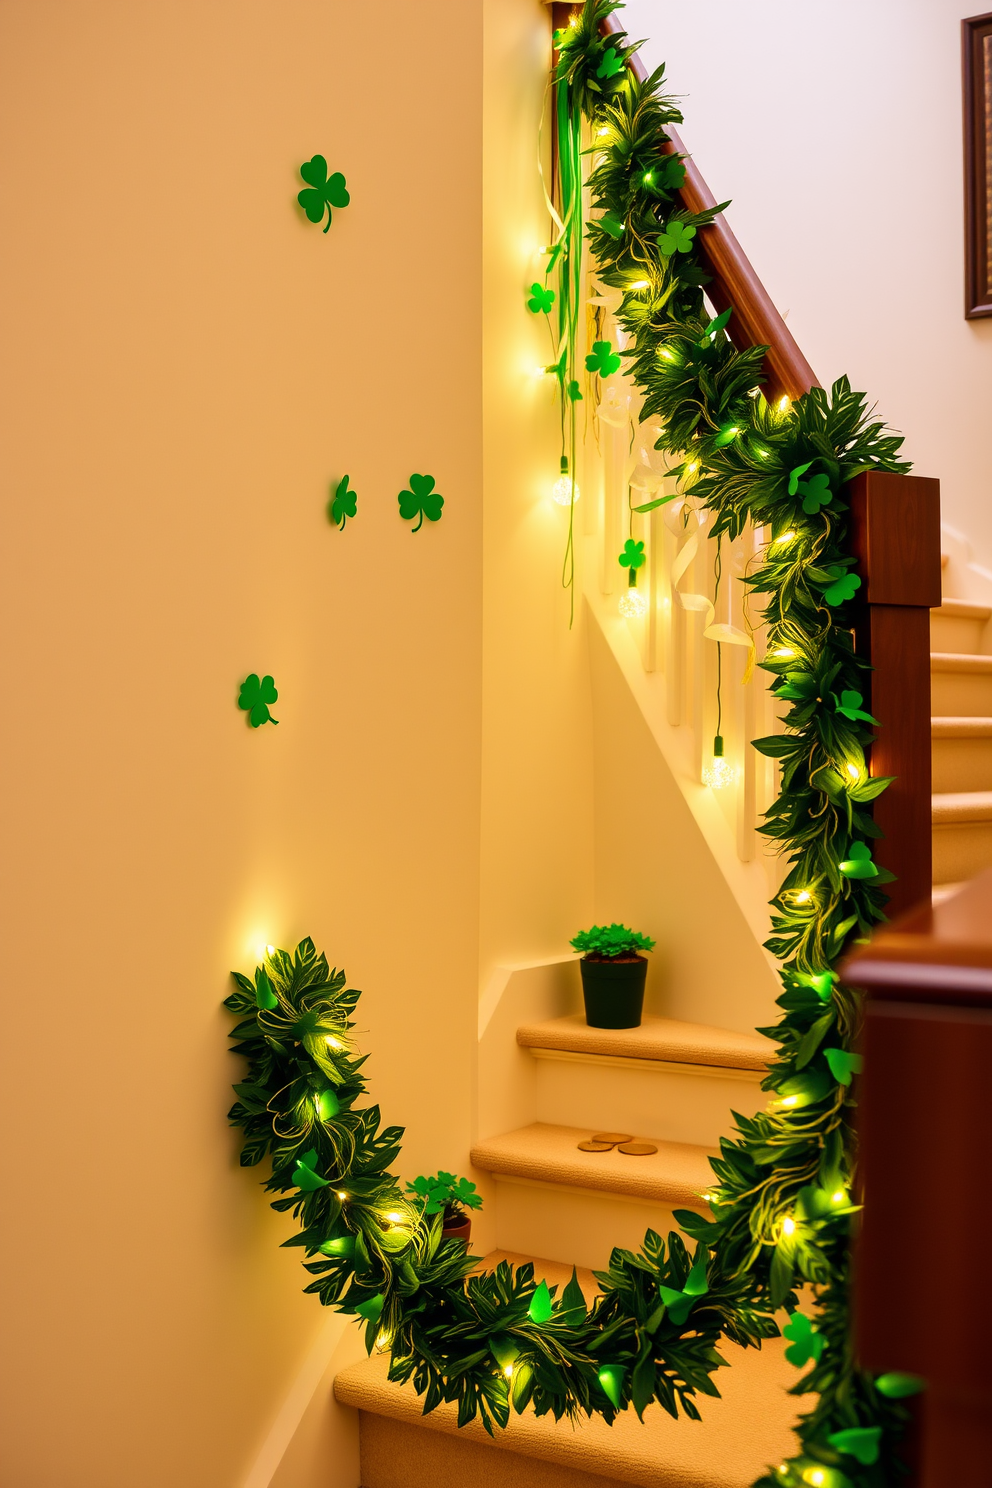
(578, 1227)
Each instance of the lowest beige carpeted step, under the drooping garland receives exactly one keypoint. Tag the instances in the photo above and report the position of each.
(738, 1438)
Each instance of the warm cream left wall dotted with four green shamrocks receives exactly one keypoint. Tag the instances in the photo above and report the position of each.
(188, 365)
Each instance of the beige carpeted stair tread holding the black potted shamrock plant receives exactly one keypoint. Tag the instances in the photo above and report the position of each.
(660, 1041)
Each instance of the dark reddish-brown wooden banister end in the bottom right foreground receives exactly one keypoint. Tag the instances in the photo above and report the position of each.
(923, 1285)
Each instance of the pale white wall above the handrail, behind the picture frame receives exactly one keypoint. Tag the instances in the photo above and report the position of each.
(837, 130)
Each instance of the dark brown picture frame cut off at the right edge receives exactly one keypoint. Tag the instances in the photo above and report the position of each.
(976, 39)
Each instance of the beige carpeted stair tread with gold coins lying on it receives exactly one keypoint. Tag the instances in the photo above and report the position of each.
(677, 1175)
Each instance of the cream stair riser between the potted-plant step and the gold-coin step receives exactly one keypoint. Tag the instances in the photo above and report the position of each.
(677, 1105)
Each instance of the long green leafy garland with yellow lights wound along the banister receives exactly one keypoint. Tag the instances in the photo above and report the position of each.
(782, 1206)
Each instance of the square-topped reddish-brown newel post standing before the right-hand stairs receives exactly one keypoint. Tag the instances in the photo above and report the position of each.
(896, 538)
